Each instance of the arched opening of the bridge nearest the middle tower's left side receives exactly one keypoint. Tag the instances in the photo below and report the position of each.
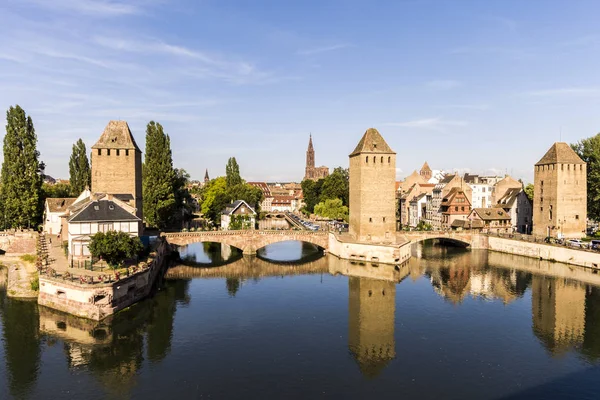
(290, 252)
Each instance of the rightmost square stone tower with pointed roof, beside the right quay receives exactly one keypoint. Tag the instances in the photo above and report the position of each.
(560, 193)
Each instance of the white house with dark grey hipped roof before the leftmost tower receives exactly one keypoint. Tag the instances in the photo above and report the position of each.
(98, 213)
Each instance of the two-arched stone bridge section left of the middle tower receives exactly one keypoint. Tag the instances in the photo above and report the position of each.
(249, 241)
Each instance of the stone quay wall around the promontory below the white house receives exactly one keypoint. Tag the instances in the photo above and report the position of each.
(98, 301)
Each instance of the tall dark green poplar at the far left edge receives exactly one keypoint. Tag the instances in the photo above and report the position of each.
(22, 172)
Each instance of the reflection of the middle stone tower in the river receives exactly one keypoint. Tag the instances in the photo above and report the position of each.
(371, 309)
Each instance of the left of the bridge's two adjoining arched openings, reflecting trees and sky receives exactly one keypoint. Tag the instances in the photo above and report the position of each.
(208, 254)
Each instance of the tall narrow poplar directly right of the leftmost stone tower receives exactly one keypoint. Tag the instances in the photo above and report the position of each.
(159, 178)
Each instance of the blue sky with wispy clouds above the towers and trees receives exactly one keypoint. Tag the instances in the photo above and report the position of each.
(479, 86)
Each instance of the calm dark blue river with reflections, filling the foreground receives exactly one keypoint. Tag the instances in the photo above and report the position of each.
(449, 324)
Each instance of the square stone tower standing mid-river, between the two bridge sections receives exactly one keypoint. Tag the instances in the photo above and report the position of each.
(373, 189)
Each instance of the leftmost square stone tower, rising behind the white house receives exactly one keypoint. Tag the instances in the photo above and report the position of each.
(117, 165)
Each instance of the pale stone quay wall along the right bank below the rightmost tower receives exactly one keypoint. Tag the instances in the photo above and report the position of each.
(544, 251)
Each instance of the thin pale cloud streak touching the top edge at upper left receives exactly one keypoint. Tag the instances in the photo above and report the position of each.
(97, 8)
